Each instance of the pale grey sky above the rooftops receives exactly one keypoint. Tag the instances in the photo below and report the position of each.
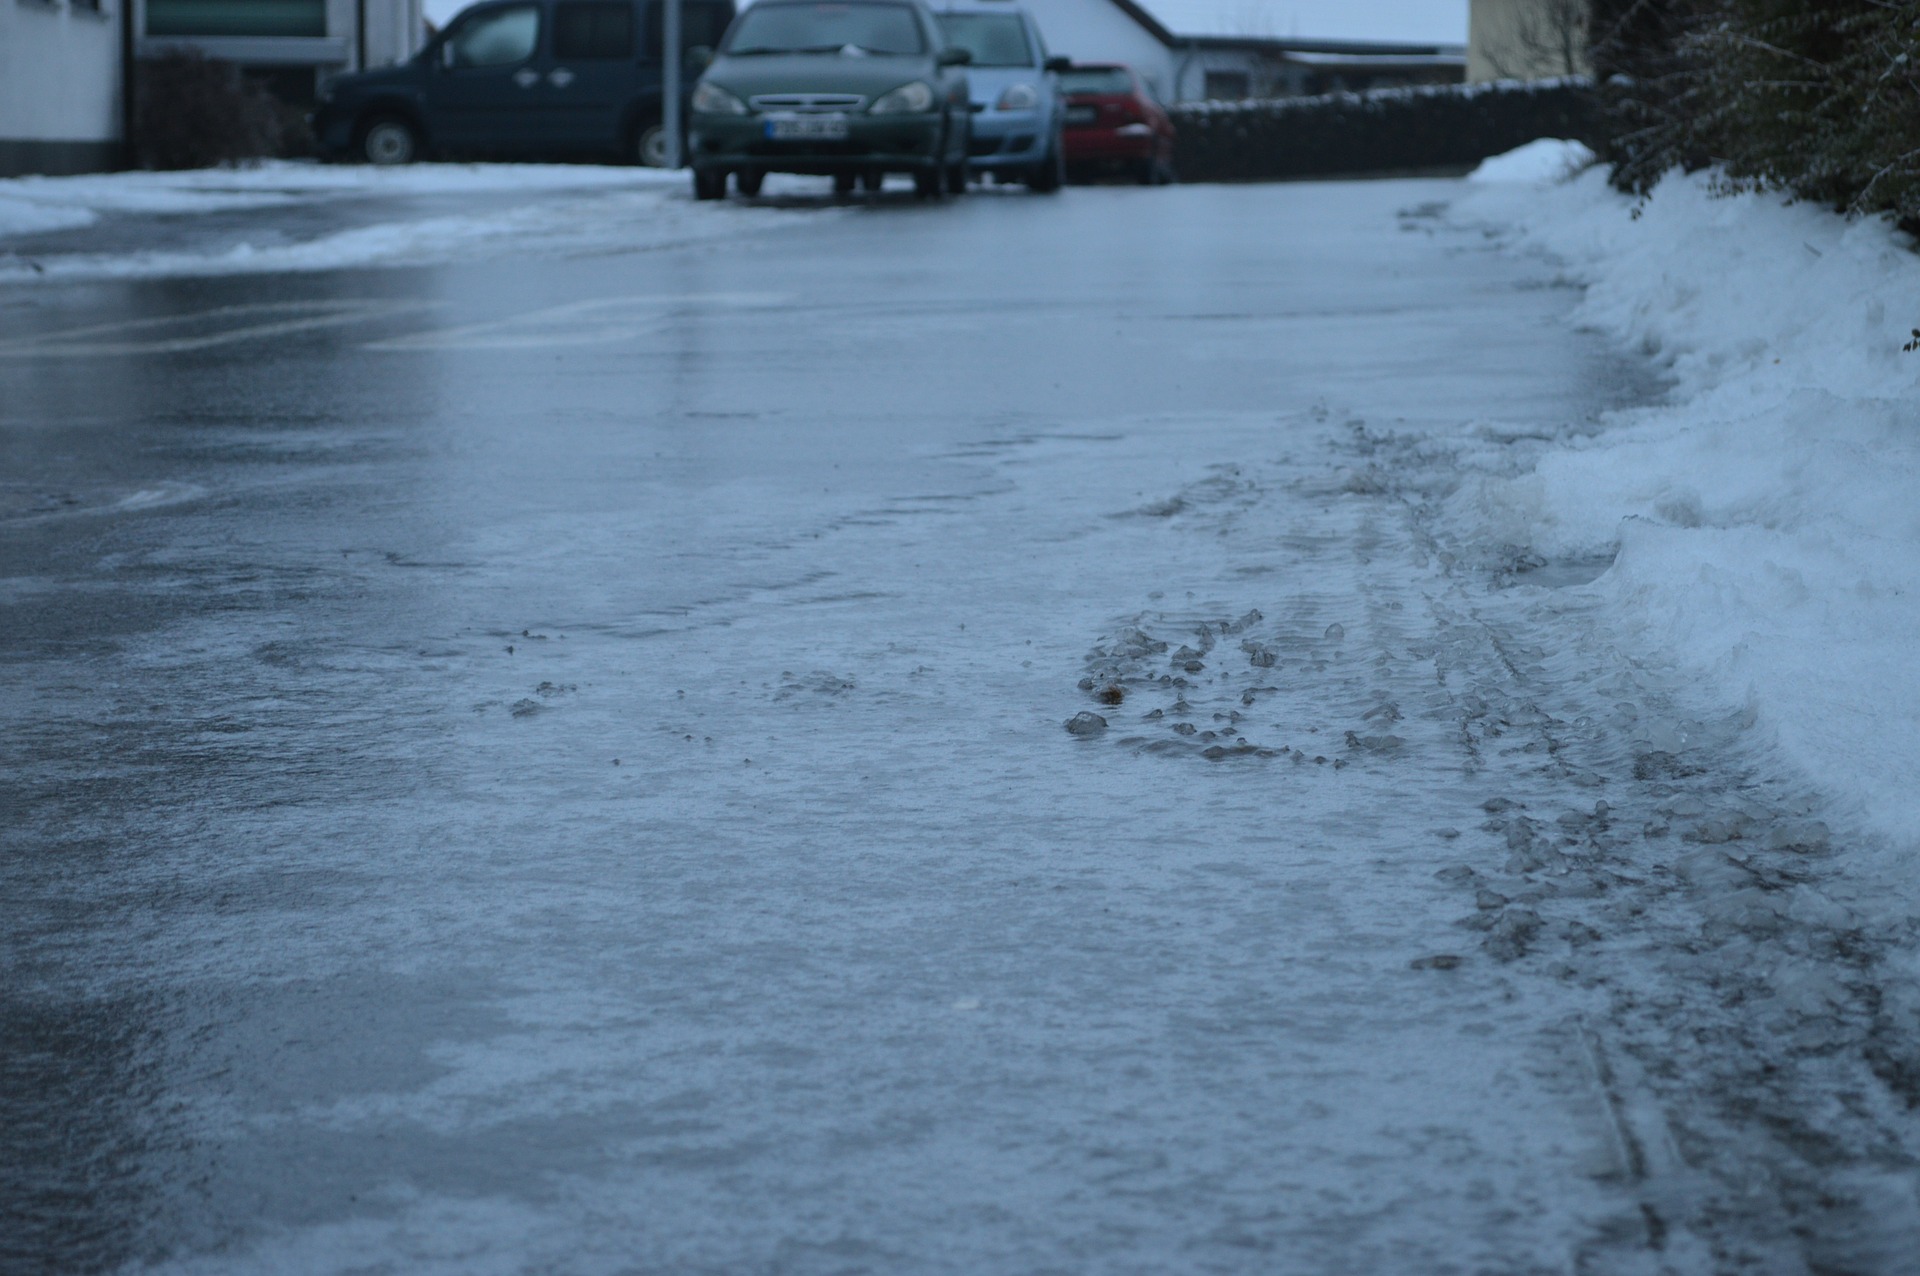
(1333, 20)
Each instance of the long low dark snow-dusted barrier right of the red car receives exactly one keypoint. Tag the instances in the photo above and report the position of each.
(1437, 128)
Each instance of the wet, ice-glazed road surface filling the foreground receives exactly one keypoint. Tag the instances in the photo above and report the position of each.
(560, 765)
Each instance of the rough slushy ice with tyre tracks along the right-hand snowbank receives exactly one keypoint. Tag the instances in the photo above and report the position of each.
(1752, 1037)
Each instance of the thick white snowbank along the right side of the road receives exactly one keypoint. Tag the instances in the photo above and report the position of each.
(1765, 517)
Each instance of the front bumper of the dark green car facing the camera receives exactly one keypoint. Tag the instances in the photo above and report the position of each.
(888, 143)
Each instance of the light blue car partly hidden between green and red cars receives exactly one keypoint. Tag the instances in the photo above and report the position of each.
(1017, 99)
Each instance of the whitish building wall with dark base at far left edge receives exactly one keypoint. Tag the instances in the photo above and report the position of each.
(60, 85)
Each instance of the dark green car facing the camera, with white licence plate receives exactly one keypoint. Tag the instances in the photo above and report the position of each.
(846, 89)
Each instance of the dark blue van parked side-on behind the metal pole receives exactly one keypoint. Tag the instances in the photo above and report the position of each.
(519, 78)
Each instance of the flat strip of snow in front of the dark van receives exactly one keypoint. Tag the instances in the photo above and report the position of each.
(410, 216)
